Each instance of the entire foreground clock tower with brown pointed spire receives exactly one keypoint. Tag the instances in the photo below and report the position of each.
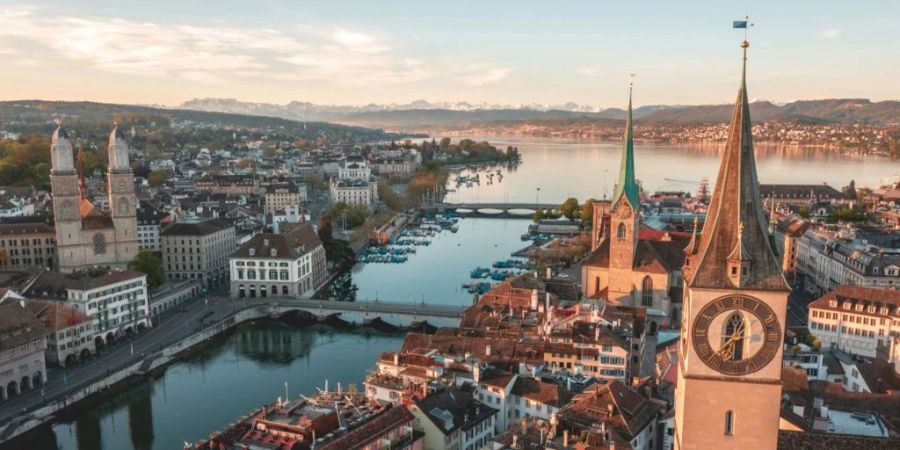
(729, 380)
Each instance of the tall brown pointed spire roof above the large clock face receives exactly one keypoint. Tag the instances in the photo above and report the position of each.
(735, 220)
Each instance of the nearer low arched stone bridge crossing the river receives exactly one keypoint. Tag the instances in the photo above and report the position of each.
(397, 314)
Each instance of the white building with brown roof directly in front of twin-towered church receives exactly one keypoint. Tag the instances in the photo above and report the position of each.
(117, 299)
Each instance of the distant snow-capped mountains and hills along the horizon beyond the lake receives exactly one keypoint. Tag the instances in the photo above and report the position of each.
(423, 115)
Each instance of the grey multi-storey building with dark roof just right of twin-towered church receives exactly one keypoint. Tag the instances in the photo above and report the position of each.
(198, 251)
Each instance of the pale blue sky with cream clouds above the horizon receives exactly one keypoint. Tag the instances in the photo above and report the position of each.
(501, 52)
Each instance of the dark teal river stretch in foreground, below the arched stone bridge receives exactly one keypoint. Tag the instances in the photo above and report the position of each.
(214, 386)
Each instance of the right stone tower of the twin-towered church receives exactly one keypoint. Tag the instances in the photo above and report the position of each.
(122, 200)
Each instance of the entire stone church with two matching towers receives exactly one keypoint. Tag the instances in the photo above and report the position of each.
(87, 236)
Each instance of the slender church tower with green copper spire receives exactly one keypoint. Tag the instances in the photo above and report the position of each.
(624, 218)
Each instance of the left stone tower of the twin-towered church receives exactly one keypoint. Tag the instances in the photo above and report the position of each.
(66, 200)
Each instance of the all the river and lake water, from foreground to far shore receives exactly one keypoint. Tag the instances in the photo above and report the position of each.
(212, 387)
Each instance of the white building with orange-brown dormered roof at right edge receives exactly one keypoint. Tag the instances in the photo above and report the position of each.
(858, 320)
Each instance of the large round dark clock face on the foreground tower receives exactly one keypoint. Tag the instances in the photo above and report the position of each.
(736, 335)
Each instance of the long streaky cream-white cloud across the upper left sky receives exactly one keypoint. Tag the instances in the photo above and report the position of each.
(212, 53)
